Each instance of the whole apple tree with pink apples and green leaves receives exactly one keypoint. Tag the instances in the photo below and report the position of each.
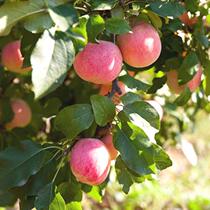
(90, 86)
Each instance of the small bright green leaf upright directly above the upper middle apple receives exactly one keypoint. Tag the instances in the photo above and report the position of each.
(95, 26)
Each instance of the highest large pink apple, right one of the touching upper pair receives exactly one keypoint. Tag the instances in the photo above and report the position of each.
(141, 47)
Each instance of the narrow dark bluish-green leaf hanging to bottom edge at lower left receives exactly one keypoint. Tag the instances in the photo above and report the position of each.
(45, 197)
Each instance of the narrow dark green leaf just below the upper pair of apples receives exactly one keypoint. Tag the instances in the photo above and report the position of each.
(133, 83)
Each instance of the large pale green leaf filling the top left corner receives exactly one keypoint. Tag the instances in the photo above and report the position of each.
(12, 12)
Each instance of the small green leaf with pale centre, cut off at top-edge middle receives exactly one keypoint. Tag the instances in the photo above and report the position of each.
(103, 4)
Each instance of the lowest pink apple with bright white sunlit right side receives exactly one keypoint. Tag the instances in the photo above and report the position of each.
(90, 161)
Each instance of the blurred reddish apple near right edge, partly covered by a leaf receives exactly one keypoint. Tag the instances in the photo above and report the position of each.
(172, 81)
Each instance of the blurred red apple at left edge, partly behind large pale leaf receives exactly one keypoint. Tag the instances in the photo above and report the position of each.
(12, 59)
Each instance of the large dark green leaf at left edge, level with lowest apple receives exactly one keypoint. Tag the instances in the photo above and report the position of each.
(17, 164)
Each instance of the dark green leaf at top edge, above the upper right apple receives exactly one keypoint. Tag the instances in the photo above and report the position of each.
(167, 8)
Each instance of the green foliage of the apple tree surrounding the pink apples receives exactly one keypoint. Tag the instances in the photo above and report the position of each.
(34, 163)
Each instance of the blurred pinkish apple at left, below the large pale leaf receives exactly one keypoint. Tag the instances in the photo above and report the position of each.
(22, 114)
